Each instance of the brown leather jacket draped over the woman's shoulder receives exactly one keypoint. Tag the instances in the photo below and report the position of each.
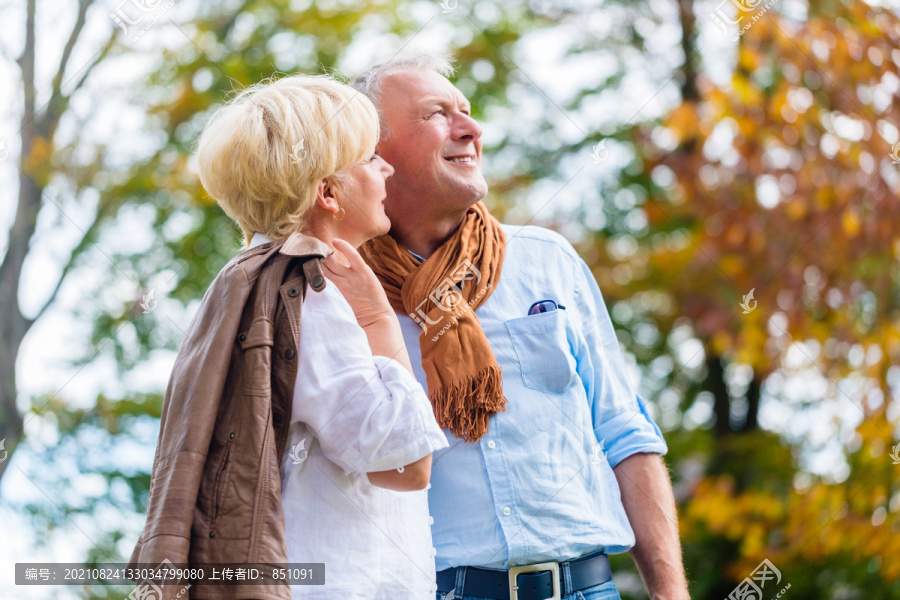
(215, 491)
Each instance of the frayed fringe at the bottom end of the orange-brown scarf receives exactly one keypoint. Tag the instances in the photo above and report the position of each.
(451, 408)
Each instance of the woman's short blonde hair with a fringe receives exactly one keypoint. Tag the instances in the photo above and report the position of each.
(263, 154)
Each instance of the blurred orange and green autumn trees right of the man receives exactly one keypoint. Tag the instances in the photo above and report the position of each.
(752, 265)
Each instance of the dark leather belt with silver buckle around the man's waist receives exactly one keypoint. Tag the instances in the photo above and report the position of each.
(535, 582)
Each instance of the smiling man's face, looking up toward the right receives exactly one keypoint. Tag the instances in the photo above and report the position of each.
(432, 142)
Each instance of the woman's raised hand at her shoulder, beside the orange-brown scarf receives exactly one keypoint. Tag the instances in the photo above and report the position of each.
(358, 284)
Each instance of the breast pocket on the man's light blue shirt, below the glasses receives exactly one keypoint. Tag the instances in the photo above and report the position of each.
(543, 351)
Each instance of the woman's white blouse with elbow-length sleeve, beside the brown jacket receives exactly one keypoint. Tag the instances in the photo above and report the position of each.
(354, 413)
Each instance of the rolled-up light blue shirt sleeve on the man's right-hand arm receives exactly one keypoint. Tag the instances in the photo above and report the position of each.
(619, 415)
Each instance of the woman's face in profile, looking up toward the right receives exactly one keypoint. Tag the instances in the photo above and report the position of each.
(362, 197)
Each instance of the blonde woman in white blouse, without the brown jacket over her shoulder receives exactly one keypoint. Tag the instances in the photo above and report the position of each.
(298, 154)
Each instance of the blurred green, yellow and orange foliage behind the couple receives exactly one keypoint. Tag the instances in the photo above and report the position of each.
(676, 240)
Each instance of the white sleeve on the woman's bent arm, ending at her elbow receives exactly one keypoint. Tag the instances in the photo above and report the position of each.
(368, 412)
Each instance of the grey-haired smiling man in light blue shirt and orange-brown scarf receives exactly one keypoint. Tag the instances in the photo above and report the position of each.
(553, 461)
